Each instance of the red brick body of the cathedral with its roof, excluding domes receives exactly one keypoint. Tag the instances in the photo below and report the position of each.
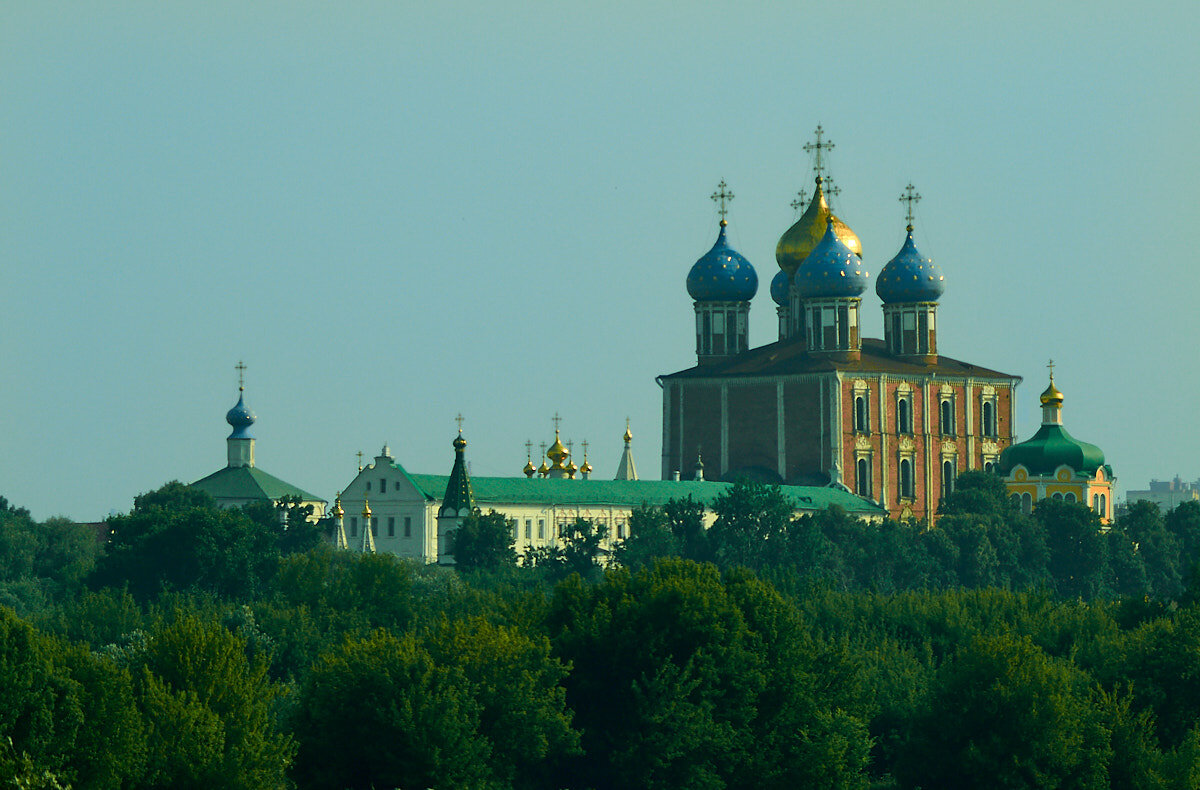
(795, 428)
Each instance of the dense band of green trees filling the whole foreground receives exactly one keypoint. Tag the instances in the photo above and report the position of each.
(207, 648)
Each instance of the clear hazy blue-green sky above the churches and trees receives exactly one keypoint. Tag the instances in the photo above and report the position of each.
(395, 213)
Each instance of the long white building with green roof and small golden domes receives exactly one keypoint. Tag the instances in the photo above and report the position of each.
(415, 516)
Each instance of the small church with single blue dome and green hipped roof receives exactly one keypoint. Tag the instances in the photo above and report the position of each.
(241, 482)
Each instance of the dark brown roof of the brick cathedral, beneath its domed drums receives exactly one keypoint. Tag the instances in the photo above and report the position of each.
(790, 358)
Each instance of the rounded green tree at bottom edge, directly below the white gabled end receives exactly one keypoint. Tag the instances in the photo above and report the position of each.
(419, 731)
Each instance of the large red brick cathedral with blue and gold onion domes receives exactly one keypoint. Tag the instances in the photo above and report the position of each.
(891, 420)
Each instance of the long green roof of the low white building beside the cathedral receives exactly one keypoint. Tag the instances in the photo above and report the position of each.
(566, 493)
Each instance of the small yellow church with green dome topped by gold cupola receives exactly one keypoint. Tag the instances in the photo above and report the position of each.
(1054, 465)
